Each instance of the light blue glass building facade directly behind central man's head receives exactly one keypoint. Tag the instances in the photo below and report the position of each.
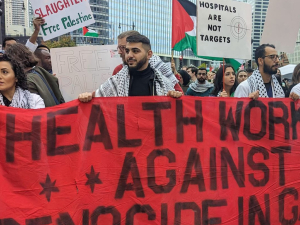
(152, 19)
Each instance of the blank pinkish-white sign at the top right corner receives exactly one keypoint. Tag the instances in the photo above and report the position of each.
(282, 25)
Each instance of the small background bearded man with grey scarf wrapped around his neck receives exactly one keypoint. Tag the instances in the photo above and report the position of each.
(201, 87)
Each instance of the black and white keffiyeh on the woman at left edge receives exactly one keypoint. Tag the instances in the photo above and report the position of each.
(21, 99)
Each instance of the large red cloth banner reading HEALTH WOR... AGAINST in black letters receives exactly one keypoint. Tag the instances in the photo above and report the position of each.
(151, 160)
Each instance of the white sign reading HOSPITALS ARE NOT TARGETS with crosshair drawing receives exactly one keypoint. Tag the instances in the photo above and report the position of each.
(224, 29)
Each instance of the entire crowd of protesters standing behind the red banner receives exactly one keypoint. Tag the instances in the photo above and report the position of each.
(27, 81)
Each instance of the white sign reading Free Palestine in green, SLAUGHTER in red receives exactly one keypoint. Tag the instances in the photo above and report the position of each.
(62, 16)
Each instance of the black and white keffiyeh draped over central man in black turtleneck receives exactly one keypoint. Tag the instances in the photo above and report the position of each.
(118, 85)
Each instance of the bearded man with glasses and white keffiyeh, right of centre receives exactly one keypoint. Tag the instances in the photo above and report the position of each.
(262, 83)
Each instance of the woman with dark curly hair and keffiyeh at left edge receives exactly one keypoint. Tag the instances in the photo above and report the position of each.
(13, 86)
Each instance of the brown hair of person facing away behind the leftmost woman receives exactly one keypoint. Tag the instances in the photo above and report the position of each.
(23, 55)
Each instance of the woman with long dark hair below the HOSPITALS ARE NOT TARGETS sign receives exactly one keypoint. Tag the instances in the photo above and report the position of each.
(230, 82)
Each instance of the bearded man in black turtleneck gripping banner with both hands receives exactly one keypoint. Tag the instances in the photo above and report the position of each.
(138, 77)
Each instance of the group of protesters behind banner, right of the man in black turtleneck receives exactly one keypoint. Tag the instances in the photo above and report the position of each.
(265, 81)
